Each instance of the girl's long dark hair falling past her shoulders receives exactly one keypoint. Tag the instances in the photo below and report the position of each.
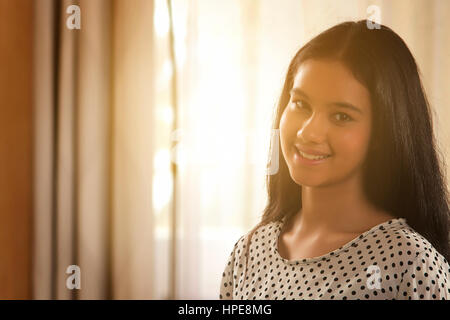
(403, 174)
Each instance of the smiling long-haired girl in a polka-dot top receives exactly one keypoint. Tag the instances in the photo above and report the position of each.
(359, 208)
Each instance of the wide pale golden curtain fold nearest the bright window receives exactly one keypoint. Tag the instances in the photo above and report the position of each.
(132, 153)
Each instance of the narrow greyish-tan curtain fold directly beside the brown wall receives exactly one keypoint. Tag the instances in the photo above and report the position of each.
(43, 92)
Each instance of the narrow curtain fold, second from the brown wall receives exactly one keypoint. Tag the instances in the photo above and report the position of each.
(66, 117)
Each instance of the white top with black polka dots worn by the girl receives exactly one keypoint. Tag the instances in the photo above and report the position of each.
(389, 261)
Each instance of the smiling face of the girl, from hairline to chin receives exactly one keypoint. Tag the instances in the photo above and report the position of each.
(325, 128)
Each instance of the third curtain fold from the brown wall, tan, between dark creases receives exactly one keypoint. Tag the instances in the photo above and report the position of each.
(94, 138)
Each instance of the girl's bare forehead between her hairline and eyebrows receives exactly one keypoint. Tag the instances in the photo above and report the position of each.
(329, 81)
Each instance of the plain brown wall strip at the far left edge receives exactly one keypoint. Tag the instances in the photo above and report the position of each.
(15, 148)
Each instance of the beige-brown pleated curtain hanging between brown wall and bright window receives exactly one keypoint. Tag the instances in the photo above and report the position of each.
(93, 92)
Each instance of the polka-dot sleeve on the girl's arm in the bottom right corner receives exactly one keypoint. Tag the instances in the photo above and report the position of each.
(427, 278)
